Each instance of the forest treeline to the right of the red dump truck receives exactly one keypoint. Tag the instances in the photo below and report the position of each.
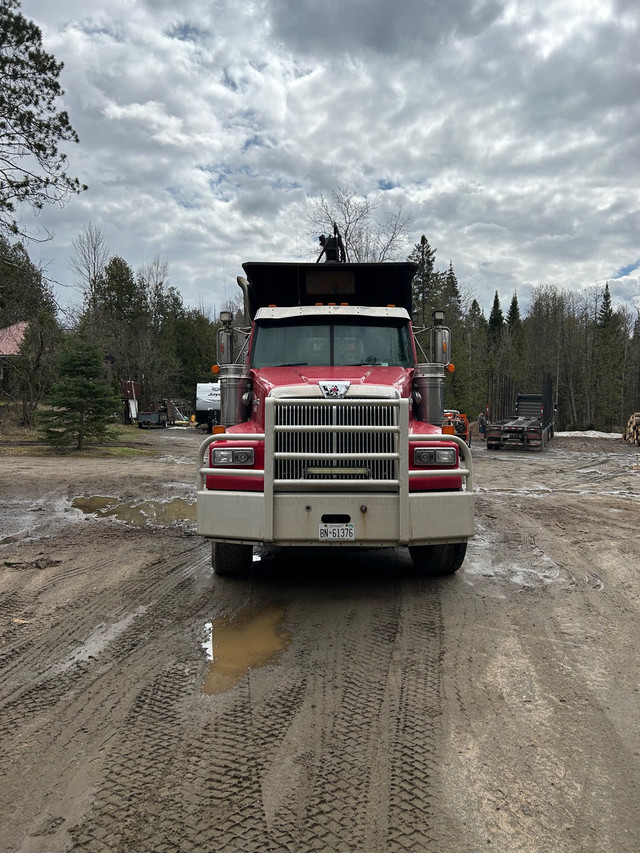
(590, 350)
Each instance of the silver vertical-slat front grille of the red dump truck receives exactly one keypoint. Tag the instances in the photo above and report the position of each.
(325, 430)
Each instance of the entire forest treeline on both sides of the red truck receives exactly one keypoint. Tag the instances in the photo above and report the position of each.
(147, 334)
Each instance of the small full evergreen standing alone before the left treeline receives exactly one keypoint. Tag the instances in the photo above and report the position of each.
(85, 404)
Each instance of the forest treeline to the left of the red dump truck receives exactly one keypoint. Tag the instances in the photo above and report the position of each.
(145, 331)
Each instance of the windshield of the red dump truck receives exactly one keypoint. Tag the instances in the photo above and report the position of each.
(300, 341)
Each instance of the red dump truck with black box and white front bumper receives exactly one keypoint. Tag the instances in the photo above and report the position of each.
(331, 431)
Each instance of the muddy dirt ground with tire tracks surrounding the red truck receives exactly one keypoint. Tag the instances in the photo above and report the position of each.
(351, 706)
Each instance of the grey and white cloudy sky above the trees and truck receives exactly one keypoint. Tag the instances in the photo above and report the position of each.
(508, 129)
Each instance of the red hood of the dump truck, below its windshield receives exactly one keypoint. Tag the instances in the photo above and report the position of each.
(364, 380)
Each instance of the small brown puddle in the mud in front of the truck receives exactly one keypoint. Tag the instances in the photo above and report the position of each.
(243, 643)
